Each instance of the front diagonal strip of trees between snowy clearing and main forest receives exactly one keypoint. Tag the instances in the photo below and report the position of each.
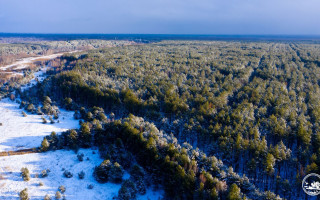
(184, 172)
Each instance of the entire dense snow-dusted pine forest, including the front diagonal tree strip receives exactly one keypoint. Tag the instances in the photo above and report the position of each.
(211, 120)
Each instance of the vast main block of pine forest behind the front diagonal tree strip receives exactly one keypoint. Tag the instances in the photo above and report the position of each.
(252, 105)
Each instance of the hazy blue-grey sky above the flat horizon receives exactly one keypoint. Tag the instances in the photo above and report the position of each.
(235, 17)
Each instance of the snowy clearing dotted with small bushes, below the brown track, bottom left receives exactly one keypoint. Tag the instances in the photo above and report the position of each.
(11, 182)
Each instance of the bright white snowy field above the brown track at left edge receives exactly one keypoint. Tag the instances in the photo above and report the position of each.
(18, 132)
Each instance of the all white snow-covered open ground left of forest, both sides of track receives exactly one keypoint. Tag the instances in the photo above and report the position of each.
(19, 132)
